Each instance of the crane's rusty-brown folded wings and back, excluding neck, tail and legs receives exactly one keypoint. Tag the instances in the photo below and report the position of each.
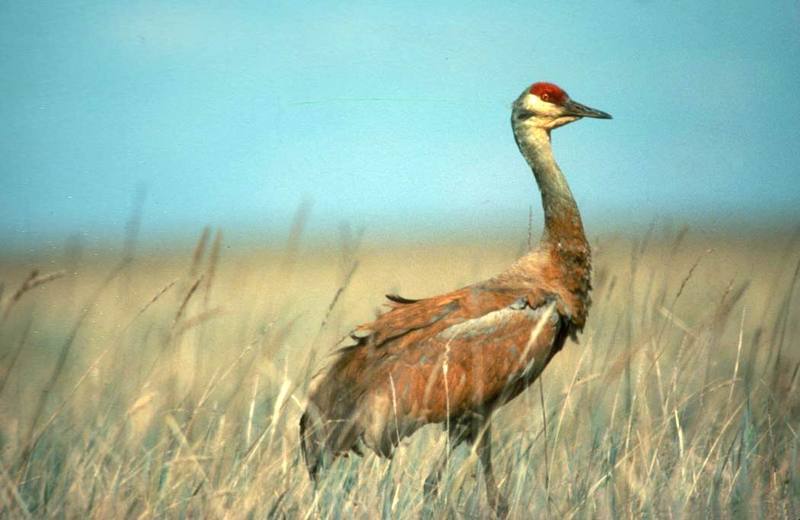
(495, 338)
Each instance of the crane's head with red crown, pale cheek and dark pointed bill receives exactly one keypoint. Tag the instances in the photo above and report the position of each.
(547, 106)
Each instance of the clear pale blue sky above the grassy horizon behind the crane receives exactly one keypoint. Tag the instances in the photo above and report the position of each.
(393, 116)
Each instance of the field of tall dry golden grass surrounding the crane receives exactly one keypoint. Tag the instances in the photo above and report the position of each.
(134, 390)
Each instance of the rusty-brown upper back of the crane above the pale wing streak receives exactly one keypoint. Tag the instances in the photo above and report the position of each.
(407, 320)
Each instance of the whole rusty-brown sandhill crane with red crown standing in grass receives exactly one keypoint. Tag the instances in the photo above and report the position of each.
(456, 357)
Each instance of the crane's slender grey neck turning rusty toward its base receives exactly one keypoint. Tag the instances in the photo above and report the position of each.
(561, 216)
